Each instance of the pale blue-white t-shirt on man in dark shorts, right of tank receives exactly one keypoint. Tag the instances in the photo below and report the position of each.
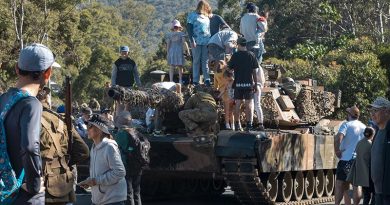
(353, 133)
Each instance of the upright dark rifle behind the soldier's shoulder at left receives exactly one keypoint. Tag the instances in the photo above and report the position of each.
(68, 112)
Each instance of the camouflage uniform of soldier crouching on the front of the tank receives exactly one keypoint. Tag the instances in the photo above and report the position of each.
(200, 111)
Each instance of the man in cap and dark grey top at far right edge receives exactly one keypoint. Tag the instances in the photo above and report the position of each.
(380, 151)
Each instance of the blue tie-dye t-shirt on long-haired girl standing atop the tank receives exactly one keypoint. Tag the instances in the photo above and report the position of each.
(200, 27)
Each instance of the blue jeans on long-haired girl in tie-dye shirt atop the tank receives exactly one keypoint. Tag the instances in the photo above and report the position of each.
(200, 60)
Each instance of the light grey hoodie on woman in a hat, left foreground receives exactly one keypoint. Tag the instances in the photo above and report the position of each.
(107, 168)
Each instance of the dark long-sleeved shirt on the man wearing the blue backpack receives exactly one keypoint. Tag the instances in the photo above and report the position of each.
(22, 126)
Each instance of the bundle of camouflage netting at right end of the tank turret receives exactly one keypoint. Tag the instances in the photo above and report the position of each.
(312, 105)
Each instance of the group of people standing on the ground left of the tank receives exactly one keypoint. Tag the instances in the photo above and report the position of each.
(40, 152)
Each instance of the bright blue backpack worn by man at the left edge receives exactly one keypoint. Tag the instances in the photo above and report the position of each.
(9, 183)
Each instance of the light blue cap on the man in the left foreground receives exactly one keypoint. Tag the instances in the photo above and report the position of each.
(35, 57)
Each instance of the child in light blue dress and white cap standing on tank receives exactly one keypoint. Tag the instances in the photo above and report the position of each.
(176, 46)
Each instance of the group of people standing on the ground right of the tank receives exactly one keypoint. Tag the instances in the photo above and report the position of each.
(363, 156)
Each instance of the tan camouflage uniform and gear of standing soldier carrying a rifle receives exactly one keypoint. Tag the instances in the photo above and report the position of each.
(59, 178)
